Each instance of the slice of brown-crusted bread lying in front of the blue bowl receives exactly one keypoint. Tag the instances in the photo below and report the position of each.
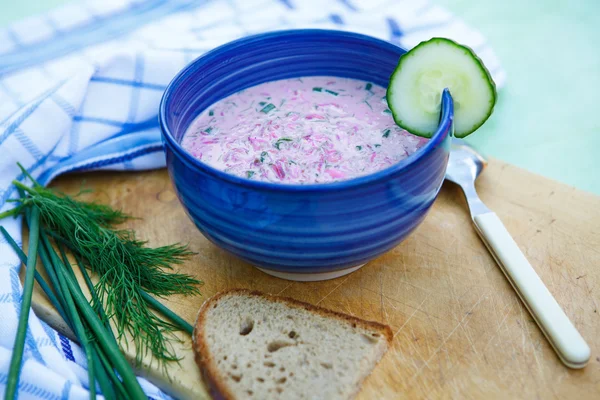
(250, 345)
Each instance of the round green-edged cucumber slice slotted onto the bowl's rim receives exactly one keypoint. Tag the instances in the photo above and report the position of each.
(416, 85)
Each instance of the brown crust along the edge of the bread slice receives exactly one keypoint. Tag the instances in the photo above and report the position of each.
(204, 359)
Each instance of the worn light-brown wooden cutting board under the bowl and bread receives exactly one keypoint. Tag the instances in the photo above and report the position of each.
(459, 329)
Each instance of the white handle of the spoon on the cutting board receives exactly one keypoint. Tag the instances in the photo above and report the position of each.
(562, 334)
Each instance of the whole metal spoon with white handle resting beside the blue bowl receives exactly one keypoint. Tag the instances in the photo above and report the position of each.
(464, 167)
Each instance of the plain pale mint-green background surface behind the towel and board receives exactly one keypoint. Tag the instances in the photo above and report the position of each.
(547, 116)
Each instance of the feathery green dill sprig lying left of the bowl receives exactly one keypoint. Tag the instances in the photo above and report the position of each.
(128, 271)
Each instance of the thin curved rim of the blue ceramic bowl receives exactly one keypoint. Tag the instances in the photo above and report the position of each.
(445, 124)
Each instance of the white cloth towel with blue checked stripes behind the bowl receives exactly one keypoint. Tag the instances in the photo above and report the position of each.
(79, 91)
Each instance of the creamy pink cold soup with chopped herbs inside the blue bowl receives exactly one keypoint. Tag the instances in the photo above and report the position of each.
(301, 131)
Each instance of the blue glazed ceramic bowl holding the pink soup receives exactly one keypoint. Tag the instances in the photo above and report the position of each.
(304, 232)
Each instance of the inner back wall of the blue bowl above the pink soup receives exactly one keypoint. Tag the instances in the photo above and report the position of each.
(279, 55)
